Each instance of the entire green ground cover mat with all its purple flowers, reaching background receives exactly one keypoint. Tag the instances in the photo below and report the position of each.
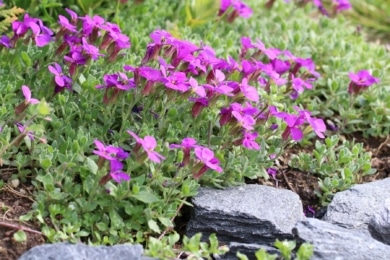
(115, 128)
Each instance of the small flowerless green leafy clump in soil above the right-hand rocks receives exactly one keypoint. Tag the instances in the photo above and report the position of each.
(338, 165)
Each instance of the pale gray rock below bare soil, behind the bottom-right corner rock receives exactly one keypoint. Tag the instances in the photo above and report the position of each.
(354, 208)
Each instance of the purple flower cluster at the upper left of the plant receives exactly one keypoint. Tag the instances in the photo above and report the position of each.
(79, 40)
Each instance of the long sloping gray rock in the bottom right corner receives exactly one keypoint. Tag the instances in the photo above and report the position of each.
(334, 242)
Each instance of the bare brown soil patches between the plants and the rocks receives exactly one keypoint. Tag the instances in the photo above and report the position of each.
(18, 201)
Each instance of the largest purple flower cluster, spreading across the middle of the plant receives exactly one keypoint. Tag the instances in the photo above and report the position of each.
(194, 74)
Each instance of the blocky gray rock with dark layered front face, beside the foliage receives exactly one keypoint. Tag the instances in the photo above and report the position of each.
(246, 214)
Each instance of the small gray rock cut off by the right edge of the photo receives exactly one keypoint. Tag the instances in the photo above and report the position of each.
(379, 225)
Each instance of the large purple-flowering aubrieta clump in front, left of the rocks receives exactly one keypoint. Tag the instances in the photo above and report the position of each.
(117, 148)
